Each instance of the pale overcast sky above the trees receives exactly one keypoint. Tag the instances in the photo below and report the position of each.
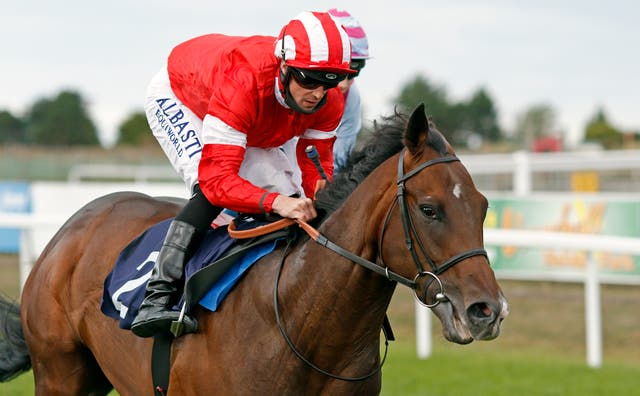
(575, 56)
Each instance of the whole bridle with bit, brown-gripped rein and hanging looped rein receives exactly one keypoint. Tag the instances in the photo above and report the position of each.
(409, 232)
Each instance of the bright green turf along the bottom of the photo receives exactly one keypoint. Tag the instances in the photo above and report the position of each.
(460, 371)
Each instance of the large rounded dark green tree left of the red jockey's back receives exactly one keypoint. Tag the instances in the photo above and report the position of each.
(61, 121)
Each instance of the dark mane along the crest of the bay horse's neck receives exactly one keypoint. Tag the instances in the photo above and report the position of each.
(382, 141)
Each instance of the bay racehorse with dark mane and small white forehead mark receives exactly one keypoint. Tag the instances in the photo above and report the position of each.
(305, 321)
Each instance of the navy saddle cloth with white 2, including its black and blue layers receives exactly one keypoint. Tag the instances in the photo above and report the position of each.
(124, 288)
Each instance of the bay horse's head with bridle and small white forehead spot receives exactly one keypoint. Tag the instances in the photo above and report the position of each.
(440, 213)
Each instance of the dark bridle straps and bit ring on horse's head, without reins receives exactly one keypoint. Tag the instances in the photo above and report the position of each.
(410, 234)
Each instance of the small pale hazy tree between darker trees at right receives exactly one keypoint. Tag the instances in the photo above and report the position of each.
(535, 122)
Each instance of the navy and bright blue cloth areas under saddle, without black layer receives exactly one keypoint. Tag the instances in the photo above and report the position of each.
(124, 287)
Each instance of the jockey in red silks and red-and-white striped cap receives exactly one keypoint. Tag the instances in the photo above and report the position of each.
(220, 109)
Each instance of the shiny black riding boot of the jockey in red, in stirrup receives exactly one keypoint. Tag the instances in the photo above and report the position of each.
(155, 314)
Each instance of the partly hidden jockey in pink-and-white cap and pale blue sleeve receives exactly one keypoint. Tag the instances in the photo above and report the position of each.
(351, 122)
